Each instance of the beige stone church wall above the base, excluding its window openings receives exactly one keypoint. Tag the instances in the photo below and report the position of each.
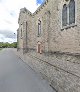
(53, 37)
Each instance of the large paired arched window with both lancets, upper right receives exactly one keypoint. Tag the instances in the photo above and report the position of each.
(68, 13)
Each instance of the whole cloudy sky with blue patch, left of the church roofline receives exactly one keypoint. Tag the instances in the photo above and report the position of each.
(9, 13)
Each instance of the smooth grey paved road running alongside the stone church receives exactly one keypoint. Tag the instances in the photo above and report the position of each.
(16, 76)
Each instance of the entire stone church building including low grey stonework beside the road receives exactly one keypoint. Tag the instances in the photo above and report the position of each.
(52, 34)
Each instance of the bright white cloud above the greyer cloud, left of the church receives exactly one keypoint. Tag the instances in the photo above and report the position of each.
(9, 12)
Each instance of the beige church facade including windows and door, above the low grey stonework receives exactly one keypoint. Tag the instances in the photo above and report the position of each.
(54, 26)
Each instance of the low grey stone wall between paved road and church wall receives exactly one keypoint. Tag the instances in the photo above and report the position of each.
(62, 71)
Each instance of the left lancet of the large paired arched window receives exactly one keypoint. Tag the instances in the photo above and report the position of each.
(64, 15)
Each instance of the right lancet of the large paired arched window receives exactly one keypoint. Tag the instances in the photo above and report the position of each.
(71, 11)
